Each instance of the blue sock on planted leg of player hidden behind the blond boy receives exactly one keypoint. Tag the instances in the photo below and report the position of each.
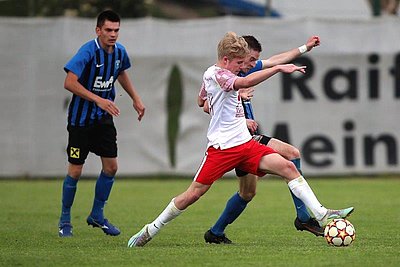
(234, 207)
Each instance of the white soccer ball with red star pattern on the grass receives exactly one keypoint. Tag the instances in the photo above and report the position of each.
(339, 233)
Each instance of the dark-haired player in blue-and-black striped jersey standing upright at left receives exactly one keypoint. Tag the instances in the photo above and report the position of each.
(91, 75)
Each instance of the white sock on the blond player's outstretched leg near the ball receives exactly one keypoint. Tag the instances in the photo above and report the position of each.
(303, 191)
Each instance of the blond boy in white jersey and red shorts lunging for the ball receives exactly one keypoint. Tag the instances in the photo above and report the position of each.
(230, 144)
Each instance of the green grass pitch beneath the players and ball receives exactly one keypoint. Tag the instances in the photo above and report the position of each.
(264, 235)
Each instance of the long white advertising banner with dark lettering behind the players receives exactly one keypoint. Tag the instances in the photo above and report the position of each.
(342, 114)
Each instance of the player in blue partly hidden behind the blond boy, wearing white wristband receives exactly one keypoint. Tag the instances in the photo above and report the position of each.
(238, 202)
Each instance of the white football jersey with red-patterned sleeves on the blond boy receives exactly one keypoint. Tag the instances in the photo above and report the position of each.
(227, 126)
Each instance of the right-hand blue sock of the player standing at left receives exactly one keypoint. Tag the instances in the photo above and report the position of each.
(102, 191)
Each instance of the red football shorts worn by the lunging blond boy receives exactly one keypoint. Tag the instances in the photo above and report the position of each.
(217, 162)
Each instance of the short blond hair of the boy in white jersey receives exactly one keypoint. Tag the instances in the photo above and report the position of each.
(232, 46)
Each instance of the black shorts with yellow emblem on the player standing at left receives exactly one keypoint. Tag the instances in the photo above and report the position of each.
(99, 138)
